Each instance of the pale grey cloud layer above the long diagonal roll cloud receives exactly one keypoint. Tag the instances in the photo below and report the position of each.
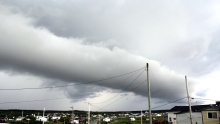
(156, 28)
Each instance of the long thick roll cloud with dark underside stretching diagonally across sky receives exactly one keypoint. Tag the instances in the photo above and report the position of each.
(28, 49)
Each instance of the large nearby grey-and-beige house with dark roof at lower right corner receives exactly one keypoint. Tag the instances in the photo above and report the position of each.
(201, 114)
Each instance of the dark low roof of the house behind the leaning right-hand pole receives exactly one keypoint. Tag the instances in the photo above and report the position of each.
(194, 108)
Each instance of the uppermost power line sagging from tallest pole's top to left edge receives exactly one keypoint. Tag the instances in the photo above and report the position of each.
(59, 86)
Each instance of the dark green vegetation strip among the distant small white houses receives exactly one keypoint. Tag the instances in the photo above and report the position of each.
(116, 117)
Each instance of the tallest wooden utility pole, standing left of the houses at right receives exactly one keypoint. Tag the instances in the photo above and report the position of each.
(149, 96)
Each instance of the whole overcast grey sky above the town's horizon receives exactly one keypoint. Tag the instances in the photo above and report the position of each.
(55, 54)
